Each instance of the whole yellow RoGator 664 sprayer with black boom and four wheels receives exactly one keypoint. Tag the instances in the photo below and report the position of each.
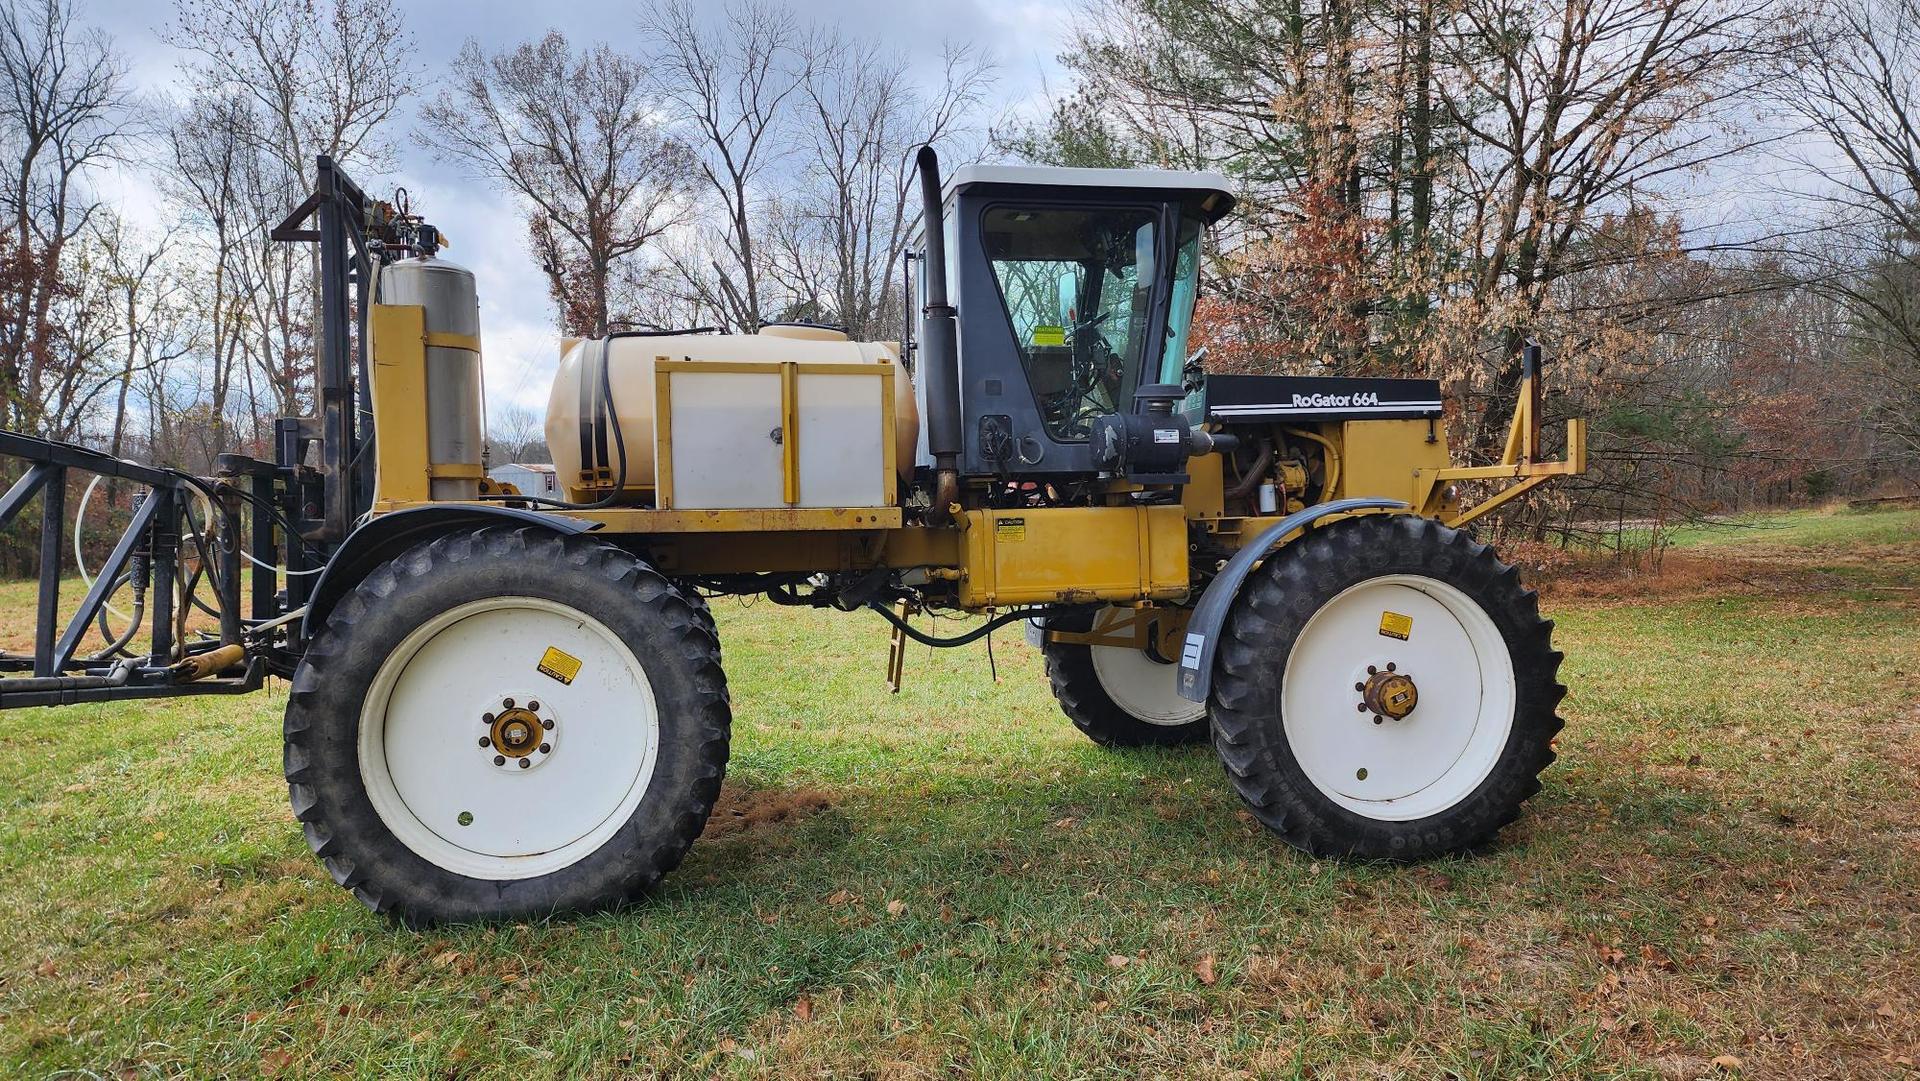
(508, 706)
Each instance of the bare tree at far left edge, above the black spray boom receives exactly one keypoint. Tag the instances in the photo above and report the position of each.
(64, 110)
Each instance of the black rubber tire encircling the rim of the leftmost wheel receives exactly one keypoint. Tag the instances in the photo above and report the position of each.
(322, 759)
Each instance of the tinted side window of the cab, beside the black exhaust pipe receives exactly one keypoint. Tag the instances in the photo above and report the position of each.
(1078, 291)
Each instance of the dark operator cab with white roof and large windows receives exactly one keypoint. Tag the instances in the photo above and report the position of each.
(1074, 289)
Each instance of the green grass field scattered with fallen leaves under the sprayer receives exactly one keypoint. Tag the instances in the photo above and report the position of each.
(1721, 878)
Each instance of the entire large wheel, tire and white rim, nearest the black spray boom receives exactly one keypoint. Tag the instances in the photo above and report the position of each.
(506, 725)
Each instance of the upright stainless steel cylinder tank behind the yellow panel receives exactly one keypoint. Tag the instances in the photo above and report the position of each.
(456, 395)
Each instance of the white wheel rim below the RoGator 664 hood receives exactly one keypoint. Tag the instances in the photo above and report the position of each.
(1435, 757)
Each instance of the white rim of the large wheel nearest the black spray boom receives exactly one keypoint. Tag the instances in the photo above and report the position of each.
(441, 792)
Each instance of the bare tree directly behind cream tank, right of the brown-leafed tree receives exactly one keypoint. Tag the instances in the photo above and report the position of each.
(729, 84)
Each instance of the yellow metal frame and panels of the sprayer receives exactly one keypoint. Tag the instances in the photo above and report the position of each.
(1126, 554)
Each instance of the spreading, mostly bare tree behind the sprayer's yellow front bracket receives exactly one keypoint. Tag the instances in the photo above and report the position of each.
(1575, 110)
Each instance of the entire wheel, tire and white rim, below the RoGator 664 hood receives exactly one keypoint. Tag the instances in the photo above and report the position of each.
(1312, 627)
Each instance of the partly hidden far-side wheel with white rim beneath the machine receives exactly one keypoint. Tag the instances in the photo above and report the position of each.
(1120, 698)
